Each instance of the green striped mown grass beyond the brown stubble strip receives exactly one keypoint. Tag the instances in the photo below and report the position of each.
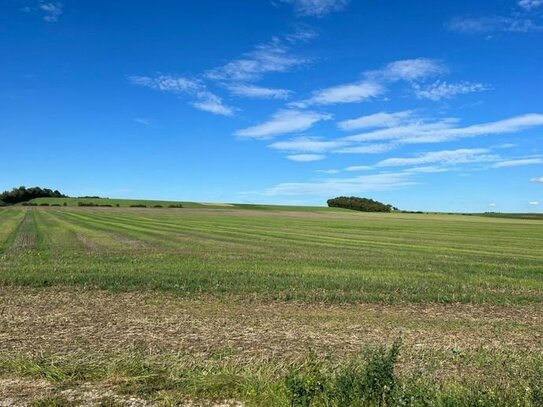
(303, 256)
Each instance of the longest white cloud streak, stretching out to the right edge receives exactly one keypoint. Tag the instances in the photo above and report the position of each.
(441, 130)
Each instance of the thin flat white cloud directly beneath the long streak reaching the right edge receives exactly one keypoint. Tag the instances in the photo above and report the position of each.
(445, 157)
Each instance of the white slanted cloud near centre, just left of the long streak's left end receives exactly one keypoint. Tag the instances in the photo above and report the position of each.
(284, 122)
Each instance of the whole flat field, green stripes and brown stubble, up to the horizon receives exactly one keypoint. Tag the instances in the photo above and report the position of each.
(268, 306)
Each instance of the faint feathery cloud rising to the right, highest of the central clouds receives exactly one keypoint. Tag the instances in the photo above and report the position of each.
(265, 58)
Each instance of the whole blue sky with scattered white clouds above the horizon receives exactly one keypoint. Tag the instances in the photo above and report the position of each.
(427, 105)
